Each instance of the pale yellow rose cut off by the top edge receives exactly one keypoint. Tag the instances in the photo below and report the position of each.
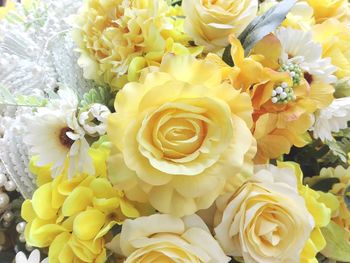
(209, 22)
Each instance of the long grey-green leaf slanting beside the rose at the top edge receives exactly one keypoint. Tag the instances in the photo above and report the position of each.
(260, 27)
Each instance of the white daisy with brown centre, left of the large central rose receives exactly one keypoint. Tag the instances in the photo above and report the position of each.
(54, 134)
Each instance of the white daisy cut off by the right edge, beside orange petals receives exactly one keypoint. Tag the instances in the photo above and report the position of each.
(332, 119)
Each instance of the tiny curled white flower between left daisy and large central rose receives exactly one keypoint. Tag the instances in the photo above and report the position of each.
(94, 120)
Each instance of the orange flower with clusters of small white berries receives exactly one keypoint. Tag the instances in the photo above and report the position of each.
(282, 98)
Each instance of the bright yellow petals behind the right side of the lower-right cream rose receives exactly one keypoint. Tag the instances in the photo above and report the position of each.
(320, 205)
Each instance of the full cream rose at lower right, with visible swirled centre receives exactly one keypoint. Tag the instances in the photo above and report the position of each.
(266, 220)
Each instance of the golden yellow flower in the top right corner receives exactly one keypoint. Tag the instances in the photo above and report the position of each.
(325, 9)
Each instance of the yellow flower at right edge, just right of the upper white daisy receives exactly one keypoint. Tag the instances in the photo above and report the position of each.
(334, 37)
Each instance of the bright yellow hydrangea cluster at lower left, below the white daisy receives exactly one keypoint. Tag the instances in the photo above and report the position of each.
(71, 217)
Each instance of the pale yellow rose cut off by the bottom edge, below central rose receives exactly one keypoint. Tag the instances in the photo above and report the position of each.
(164, 238)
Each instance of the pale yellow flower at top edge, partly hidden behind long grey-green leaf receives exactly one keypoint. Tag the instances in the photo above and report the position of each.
(301, 16)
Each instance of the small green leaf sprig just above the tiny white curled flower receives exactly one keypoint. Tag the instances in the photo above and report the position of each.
(102, 95)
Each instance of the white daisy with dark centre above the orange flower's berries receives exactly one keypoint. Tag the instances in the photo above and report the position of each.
(299, 49)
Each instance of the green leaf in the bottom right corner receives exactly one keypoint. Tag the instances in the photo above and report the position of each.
(337, 247)
